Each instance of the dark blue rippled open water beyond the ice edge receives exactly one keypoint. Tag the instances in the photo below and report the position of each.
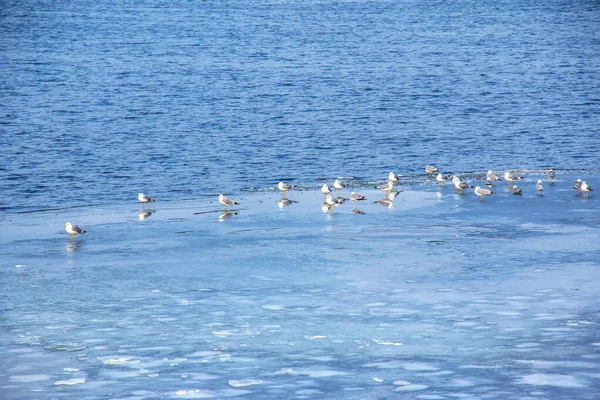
(102, 100)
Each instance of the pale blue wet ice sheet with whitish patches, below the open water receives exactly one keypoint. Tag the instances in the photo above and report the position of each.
(441, 297)
